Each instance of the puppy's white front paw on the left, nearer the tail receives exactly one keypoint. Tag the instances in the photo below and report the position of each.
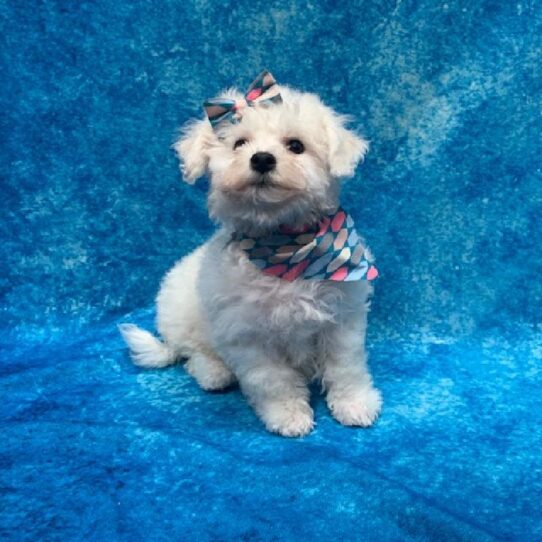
(292, 418)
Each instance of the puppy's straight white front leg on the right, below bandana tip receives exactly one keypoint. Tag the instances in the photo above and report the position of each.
(351, 396)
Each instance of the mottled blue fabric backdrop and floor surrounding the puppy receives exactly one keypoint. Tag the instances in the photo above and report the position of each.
(93, 213)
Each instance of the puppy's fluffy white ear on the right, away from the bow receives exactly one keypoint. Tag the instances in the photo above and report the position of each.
(345, 148)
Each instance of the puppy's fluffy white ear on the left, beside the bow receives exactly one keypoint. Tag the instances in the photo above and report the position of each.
(192, 148)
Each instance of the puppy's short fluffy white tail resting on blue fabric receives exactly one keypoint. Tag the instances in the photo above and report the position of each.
(145, 349)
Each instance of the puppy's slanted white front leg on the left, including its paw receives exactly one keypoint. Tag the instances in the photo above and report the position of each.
(277, 392)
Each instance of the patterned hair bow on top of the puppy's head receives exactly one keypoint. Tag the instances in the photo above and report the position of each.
(263, 89)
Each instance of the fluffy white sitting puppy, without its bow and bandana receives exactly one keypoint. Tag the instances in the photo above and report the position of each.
(232, 321)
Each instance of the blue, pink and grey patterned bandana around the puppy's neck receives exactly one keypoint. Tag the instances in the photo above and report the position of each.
(332, 250)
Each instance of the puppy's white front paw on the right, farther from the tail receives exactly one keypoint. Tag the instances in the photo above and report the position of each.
(360, 409)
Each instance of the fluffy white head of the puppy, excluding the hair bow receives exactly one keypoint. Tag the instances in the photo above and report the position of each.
(280, 165)
